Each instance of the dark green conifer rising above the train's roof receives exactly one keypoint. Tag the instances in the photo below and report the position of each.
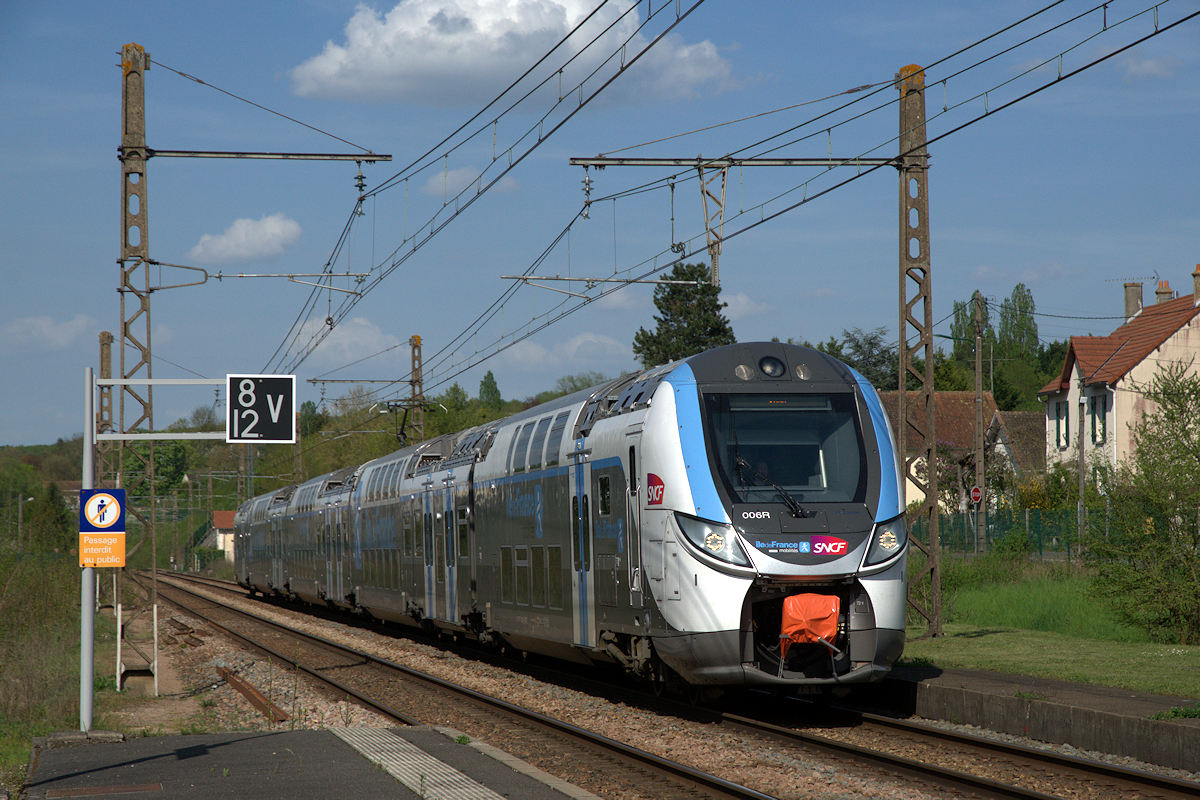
(689, 318)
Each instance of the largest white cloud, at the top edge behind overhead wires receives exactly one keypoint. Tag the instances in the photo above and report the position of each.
(445, 52)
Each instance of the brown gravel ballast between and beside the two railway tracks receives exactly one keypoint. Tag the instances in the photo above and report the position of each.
(705, 747)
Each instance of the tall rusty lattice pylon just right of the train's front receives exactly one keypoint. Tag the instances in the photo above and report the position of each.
(917, 316)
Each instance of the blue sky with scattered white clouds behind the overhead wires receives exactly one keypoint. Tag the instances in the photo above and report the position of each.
(1089, 184)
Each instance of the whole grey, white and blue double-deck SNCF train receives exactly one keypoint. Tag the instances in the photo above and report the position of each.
(733, 519)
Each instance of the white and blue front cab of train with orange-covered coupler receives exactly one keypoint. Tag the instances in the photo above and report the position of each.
(791, 492)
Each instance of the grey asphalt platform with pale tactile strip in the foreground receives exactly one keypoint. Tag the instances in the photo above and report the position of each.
(406, 763)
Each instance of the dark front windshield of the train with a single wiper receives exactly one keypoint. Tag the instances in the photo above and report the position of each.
(806, 446)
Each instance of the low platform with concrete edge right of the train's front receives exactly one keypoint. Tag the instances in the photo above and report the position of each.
(1091, 718)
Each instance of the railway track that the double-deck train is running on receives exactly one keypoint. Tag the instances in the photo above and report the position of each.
(932, 757)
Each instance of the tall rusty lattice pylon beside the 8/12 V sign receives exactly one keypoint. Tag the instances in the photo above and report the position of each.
(135, 286)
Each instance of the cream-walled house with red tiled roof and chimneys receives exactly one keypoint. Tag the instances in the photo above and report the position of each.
(1096, 401)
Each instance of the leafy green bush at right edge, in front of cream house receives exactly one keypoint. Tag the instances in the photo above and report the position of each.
(1147, 562)
